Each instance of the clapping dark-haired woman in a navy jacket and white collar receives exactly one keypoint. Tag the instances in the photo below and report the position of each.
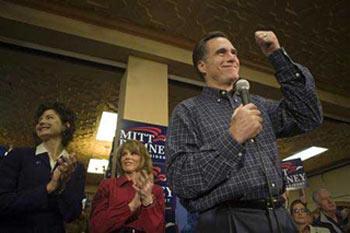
(42, 187)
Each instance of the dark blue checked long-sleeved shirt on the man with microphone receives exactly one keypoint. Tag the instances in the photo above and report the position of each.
(206, 166)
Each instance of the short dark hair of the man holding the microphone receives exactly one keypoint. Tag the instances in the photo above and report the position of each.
(200, 49)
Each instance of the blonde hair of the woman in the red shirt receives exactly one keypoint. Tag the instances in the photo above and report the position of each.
(134, 146)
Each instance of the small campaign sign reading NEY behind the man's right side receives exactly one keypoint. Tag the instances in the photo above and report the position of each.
(293, 171)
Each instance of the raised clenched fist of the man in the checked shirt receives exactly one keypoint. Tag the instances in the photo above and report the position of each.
(267, 42)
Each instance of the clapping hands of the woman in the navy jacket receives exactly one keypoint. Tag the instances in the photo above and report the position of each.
(62, 173)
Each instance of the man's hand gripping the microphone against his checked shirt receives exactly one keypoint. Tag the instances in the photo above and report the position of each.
(246, 123)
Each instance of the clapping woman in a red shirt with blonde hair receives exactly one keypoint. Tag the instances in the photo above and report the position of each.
(130, 202)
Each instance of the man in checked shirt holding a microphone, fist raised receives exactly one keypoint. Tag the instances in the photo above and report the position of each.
(222, 156)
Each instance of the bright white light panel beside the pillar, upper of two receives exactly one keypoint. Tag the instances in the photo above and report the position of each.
(107, 127)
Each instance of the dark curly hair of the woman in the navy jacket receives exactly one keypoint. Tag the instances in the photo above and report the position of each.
(65, 114)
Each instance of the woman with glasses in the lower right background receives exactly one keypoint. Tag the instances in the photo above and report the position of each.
(303, 219)
